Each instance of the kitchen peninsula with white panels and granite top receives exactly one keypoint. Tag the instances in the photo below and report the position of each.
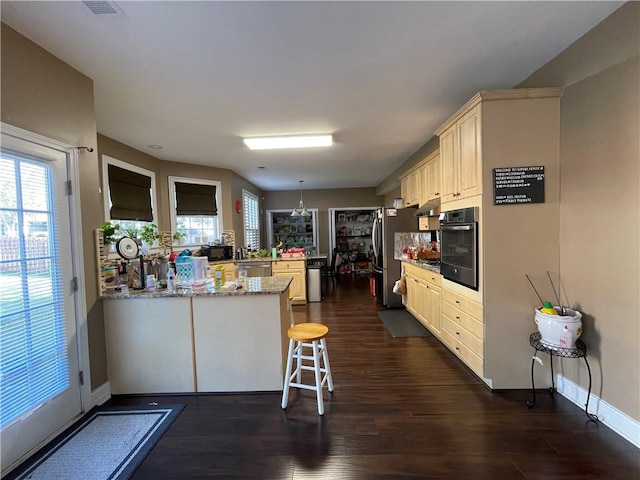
(215, 340)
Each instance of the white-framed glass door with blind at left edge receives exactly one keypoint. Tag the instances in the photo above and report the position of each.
(39, 363)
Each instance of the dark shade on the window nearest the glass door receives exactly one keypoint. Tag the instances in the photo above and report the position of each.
(130, 194)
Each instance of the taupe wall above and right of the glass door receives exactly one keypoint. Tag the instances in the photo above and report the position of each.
(44, 95)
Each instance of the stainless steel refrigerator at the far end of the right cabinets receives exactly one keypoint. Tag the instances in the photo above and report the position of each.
(386, 270)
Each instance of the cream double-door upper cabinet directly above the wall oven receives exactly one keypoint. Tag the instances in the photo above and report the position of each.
(460, 157)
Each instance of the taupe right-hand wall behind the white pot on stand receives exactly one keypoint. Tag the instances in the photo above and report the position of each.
(599, 199)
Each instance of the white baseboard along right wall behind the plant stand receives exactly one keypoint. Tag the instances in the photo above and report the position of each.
(618, 421)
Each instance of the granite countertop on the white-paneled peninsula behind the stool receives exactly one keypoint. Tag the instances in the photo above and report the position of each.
(253, 286)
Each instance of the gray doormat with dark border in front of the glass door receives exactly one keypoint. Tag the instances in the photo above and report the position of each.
(107, 443)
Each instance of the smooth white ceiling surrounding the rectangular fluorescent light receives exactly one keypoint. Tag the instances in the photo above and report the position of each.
(195, 77)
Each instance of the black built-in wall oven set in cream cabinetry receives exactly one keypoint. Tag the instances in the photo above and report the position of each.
(459, 246)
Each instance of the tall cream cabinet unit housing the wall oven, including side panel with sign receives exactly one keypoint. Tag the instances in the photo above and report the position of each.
(489, 328)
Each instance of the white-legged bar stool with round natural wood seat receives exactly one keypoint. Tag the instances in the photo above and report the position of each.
(301, 336)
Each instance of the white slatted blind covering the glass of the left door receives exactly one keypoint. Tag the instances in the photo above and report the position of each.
(33, 350)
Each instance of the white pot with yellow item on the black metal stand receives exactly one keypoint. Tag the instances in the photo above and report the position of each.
(561, 330)
